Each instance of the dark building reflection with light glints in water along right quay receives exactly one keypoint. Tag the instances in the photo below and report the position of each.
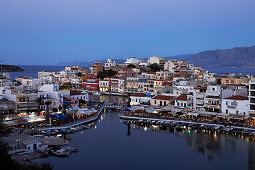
(209, 144)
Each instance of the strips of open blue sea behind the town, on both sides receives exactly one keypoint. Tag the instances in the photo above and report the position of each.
(32, 70)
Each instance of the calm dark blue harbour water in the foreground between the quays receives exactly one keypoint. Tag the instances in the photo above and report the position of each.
(115, 145)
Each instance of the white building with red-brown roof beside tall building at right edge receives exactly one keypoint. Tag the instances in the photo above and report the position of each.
(235, 105)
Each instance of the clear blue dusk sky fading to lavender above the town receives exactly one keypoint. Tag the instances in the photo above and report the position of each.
(47, 32)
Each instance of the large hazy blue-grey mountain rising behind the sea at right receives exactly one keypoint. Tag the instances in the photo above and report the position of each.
(235, 57)
